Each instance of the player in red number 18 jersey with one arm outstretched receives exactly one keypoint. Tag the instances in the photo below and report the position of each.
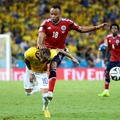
(53, 33)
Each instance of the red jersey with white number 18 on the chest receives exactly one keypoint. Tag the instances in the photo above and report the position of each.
(56, 33)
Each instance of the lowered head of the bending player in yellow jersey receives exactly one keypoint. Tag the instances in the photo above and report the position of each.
(44, 55)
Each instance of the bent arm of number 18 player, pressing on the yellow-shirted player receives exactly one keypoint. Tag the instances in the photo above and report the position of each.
(40, 40)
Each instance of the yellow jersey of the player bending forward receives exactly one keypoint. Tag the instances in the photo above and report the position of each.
(36, 65)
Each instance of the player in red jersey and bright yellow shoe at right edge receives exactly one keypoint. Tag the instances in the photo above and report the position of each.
(113, 41)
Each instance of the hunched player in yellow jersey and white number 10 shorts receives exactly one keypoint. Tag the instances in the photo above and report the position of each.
(36, 77)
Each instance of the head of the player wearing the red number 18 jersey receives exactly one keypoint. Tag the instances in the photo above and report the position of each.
(55, 13)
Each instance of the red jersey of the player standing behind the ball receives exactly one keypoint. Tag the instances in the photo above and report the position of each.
(114, 45)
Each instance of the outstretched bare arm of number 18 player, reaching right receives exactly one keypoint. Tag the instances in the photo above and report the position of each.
(84, 29)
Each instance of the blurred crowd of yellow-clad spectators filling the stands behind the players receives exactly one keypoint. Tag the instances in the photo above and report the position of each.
(22, 18)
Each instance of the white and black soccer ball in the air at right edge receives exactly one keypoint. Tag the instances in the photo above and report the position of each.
(115, 73)
